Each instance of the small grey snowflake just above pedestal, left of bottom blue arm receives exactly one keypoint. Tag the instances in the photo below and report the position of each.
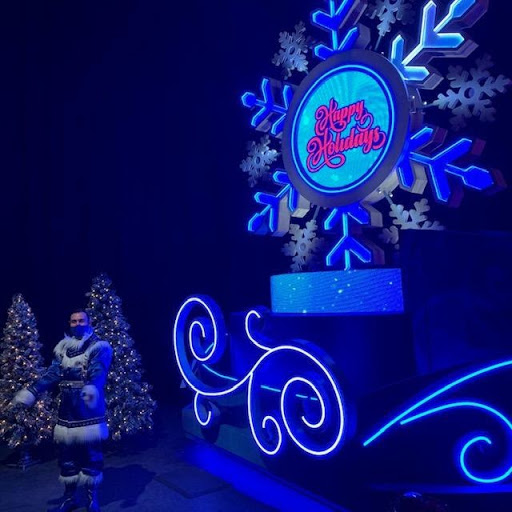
(304, 247)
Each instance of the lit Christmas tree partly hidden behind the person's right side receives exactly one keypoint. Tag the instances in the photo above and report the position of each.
(129, 404)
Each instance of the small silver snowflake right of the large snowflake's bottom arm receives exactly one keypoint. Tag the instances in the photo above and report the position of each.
(408, 219)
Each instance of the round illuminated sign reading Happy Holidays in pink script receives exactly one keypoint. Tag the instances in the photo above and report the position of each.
(346, 128)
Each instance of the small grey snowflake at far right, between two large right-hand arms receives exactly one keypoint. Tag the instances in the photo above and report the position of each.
(471, 92)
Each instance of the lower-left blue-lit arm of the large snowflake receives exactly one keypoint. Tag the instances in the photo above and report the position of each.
(268, 219)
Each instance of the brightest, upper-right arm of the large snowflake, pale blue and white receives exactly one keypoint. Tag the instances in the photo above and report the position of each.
(436, 40)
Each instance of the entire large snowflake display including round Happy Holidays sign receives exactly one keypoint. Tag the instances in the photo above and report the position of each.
(346, 152)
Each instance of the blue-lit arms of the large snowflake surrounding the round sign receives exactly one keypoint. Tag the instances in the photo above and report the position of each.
(429, 156)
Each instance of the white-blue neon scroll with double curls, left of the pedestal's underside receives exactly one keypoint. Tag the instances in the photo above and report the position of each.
(318, 432)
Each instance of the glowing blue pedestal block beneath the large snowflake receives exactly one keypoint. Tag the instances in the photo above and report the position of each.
(368, 291)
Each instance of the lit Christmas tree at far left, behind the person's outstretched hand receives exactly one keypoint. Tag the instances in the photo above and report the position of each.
(21, 364)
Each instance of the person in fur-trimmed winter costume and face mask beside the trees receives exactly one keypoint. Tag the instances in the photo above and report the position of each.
(79, 368)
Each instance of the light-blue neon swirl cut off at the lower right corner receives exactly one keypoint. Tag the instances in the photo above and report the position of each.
(474, 446)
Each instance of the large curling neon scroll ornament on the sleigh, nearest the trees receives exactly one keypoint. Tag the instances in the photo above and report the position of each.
(292, 394)
